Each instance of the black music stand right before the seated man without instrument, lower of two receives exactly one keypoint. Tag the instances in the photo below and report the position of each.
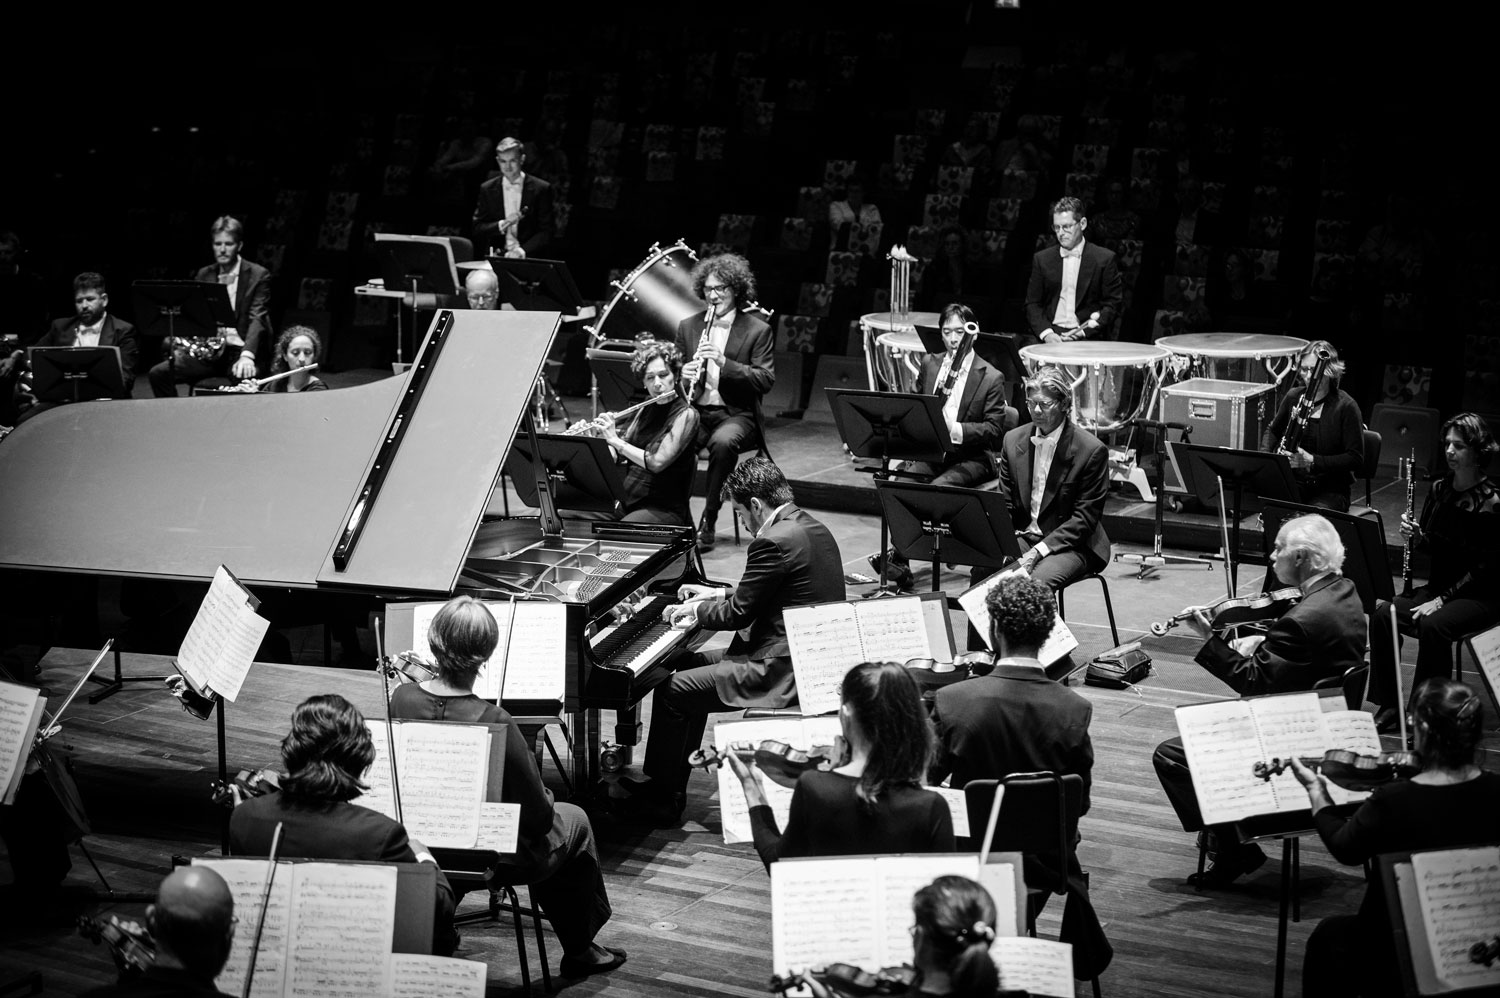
(947, 525)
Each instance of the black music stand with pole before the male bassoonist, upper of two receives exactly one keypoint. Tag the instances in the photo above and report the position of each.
(890, 427)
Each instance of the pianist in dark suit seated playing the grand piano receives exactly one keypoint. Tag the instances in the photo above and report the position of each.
(794, 561)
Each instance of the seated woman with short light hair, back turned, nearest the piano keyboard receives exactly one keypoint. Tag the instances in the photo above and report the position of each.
(556, 852)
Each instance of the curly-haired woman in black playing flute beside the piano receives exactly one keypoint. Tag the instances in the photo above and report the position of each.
(656, 445)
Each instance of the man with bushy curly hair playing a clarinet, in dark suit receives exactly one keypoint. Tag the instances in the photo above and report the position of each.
(731, 365)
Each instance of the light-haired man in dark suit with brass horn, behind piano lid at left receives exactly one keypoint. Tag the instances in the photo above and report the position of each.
(251, 296)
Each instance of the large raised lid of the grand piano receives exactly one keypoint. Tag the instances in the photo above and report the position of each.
(172, 488)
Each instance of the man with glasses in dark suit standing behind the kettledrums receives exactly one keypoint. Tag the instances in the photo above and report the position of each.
(1075, 290)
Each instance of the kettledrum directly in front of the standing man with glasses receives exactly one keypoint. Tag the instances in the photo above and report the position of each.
(1112, 382)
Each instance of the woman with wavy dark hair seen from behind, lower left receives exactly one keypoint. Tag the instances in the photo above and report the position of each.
(326, 756)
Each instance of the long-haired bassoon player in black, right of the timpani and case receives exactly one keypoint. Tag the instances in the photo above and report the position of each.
(1331, 446)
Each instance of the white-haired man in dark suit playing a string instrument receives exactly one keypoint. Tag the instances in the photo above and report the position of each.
(1319, 637)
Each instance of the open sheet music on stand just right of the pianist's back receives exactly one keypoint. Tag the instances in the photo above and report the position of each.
(829, 640)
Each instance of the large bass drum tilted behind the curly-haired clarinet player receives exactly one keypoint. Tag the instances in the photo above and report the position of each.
(653, 299)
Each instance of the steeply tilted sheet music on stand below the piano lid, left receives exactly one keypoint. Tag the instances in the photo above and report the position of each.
(221, 645)
